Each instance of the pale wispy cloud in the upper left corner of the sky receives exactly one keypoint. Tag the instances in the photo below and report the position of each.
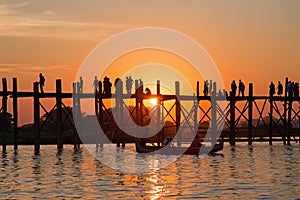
(48, 23)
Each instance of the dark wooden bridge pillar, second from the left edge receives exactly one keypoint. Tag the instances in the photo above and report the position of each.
(15, 112)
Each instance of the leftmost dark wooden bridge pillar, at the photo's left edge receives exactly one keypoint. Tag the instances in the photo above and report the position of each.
(4, 113)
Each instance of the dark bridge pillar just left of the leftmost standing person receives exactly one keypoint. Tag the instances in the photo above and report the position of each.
(36, 114)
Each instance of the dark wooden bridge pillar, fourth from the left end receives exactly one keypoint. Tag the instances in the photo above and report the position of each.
(59, 119)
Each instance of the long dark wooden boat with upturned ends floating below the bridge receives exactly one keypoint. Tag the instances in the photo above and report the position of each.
(174, 150)
